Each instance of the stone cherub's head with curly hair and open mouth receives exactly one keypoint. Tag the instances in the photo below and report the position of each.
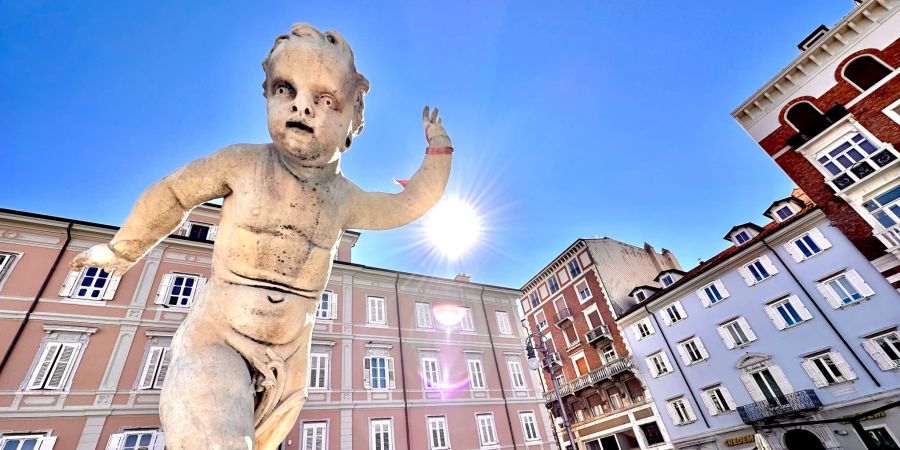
(314, 95)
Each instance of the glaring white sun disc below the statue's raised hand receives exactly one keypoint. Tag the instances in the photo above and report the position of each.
(452, 226)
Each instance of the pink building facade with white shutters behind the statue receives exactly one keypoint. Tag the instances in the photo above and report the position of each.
(398, 360)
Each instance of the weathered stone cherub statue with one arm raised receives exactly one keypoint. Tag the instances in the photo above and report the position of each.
(238, 374)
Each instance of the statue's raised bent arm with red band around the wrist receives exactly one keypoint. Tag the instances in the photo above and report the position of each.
(380, 210)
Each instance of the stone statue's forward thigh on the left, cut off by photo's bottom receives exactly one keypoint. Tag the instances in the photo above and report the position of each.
(207, 398)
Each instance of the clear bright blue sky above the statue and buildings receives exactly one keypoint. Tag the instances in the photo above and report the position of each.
(606, 118)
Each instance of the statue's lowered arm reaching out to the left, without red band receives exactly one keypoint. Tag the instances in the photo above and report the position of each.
(161, 209)
